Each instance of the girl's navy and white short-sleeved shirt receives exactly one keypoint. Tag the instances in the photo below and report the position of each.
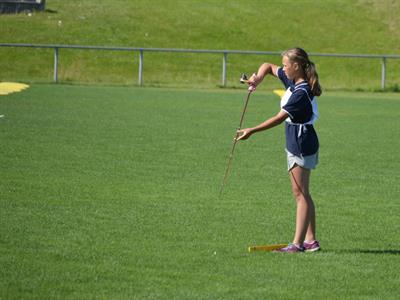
(301, 106)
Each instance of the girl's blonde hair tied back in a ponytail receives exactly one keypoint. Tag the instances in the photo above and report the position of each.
(300, 56)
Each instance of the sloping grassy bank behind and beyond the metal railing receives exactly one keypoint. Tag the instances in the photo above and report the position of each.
(328, 26)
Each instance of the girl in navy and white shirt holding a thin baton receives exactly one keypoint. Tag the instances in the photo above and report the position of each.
(299, 111)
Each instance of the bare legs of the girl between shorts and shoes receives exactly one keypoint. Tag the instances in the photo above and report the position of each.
(305, 215)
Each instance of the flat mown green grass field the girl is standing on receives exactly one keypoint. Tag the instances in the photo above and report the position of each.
(112, 193)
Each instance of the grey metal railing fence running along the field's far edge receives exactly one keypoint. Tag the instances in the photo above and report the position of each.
(224, 53)
